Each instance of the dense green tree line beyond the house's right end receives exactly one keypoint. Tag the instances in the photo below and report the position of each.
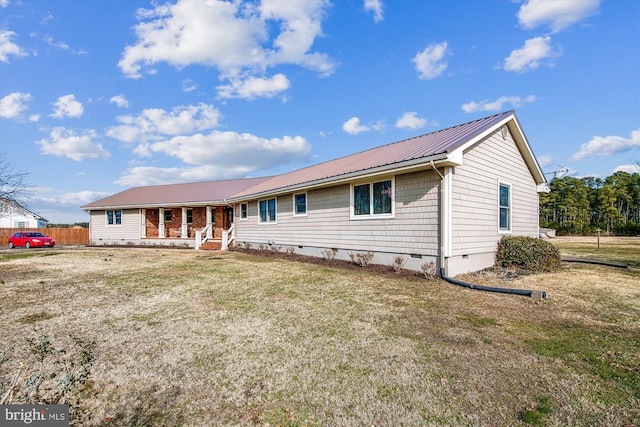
(582, 205)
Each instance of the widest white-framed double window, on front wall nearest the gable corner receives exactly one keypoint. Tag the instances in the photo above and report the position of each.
(372, 199)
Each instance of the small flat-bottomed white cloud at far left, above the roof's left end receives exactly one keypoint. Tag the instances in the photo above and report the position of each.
(65, 143)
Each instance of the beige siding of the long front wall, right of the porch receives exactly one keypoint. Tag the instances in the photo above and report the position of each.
(413, 229)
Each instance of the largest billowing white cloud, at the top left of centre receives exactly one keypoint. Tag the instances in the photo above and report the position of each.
(235, 37)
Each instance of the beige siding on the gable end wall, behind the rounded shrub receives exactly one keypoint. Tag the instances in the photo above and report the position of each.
(475, 196)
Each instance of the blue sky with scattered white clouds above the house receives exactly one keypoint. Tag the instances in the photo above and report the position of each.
(99, 96)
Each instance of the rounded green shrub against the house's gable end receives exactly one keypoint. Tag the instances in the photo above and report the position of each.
(528, 253)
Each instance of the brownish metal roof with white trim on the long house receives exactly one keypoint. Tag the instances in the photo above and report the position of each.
(442, 145)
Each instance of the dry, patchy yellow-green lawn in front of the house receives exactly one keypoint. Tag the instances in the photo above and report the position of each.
(179, 337)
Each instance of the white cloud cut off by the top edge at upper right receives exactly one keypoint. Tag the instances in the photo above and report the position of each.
(557, 14)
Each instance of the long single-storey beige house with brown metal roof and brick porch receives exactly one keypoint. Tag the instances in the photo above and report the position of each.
(447, 197)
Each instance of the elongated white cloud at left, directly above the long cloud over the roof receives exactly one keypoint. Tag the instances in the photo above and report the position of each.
(156, 123)
